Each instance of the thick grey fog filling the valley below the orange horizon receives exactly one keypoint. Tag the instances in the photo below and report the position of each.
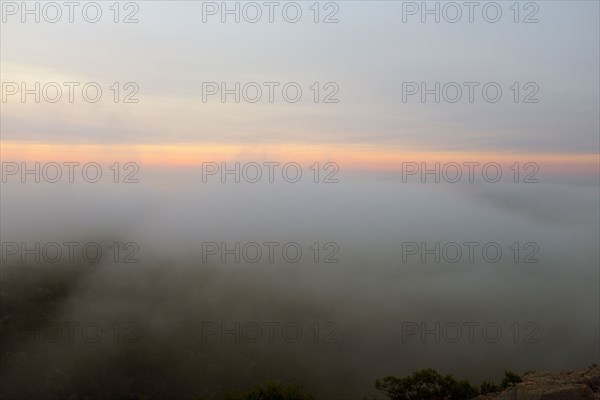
(369, 305)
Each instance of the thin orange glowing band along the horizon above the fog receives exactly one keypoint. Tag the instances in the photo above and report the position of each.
(349, 156)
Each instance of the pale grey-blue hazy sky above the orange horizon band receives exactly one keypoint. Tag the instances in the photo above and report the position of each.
(369, 53)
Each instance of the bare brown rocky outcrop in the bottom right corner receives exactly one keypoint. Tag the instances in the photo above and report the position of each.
(561, 385)
